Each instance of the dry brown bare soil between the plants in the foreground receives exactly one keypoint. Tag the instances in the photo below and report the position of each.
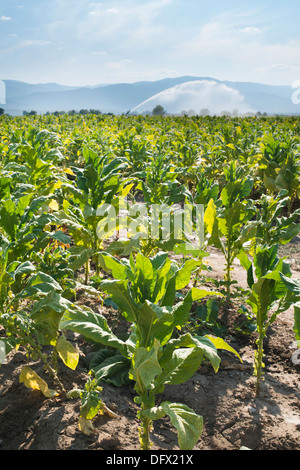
(234, 417)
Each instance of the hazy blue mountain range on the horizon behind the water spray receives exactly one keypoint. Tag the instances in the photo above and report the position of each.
(123, 97)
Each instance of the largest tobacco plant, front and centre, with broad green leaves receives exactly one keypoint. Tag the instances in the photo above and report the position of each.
(145, 290)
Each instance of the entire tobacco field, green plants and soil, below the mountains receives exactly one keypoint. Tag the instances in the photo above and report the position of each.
(156, 339)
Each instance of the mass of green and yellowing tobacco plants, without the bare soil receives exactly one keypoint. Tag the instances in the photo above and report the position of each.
(61, 182)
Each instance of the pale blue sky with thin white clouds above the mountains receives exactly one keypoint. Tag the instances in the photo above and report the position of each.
(82, 42)
